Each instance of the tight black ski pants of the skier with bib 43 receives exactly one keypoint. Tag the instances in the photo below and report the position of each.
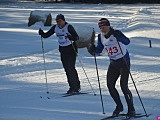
(114, 71)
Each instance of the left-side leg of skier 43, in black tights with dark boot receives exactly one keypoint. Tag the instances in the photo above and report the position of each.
(112, 76)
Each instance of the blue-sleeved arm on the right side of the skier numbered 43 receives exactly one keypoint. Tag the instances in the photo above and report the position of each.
(121, 37)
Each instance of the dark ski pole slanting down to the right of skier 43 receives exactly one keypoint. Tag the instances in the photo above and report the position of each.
(133, 80)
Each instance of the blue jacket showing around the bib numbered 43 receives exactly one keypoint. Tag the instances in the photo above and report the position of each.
(120, 38)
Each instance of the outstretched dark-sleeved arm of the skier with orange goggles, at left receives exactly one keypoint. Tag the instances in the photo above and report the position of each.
(48, 33)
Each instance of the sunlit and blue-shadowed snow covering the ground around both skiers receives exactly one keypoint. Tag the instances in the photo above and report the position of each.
(22, 78)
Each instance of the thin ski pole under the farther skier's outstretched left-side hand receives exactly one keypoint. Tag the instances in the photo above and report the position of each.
(44, 65)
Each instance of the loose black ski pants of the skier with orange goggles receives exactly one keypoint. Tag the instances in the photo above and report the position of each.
(68, 58)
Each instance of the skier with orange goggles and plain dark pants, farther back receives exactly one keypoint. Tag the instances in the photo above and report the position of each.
(67, 36)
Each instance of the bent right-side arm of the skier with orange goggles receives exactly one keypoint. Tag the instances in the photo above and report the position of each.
(74, 36)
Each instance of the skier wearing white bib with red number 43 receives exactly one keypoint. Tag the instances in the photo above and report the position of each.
(114, 42)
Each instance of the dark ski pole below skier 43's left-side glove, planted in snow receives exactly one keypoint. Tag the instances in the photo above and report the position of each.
(99, 84)
